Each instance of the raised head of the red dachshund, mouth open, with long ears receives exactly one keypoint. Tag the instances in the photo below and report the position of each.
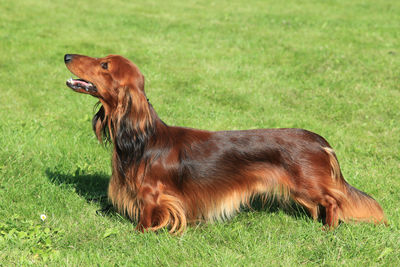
(119, 86)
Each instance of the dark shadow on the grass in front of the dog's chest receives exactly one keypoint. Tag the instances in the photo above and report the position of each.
(92, 187)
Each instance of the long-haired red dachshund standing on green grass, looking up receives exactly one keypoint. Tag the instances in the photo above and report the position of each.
(165, 176)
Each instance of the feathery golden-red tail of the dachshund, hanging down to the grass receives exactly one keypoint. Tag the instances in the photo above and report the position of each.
(354, 205)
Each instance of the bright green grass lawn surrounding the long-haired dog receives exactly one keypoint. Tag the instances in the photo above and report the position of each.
(332, 67)
